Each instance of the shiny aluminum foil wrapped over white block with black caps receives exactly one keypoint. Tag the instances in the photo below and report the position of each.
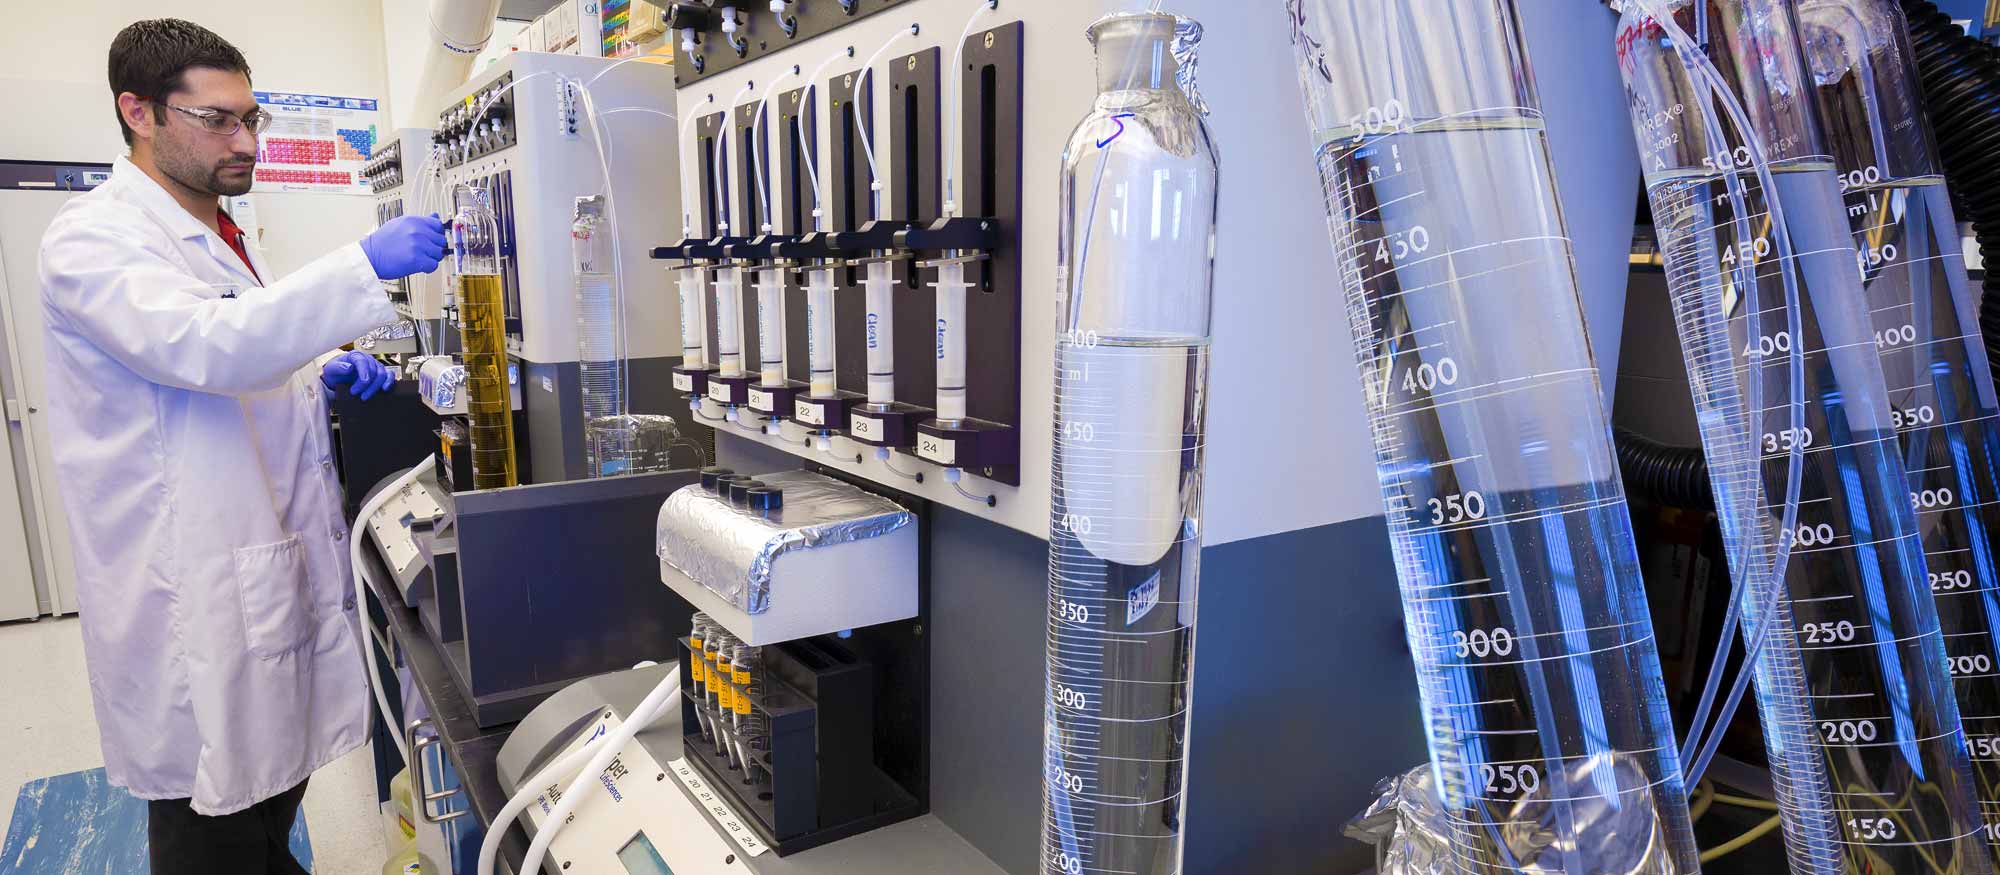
(731, 552)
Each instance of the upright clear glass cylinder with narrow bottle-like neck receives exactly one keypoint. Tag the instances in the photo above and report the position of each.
(1135, 283)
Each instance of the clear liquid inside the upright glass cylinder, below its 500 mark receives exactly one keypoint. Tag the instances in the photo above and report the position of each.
(1125, 554)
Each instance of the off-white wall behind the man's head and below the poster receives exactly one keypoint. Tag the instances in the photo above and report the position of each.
(55, 93)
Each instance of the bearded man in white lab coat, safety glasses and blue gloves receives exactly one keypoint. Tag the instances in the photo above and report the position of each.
(189, 405)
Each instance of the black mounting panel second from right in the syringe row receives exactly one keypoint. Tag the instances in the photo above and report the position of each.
(915, 165)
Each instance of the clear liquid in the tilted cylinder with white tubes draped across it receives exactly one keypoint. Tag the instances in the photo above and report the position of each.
(1853, 690)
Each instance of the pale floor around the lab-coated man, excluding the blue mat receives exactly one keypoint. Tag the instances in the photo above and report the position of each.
(47, 728)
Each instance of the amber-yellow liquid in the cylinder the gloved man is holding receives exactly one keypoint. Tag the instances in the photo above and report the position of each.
(489, 403)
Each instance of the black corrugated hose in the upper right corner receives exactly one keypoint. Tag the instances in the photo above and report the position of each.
(1963, 99)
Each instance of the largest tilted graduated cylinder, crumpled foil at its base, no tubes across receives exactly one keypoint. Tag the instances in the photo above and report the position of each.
(1523, 600)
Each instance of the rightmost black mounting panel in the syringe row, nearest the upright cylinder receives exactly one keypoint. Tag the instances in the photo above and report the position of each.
(993, 83)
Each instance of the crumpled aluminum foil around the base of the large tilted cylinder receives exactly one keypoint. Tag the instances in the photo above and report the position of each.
(1601, 818)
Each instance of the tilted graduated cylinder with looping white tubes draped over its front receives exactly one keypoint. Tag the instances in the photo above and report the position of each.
(1861, 726)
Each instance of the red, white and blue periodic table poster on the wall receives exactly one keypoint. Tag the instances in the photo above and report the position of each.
(317, 143)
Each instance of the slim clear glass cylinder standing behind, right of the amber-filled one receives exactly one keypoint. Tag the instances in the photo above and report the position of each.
(599, 361)
